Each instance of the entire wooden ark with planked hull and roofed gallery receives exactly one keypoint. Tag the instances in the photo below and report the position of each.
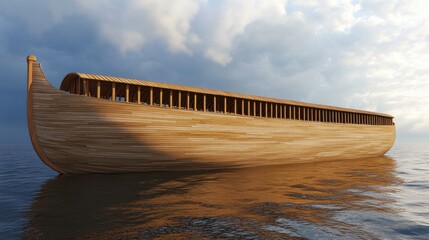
(100, 124)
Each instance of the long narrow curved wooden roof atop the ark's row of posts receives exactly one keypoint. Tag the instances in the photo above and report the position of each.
(73, 76)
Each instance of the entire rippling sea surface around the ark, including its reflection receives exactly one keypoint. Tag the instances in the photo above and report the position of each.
(375, 198)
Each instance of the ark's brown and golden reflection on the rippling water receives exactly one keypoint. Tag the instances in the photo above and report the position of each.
(347, 199)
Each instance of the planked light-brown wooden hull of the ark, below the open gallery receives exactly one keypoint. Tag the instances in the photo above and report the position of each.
(78, 134)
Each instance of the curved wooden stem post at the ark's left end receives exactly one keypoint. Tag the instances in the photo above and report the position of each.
(31, 67)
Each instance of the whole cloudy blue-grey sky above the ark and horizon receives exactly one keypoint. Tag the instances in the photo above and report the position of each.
(370, 55)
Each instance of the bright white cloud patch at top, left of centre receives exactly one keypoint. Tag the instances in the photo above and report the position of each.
(129, 25)
